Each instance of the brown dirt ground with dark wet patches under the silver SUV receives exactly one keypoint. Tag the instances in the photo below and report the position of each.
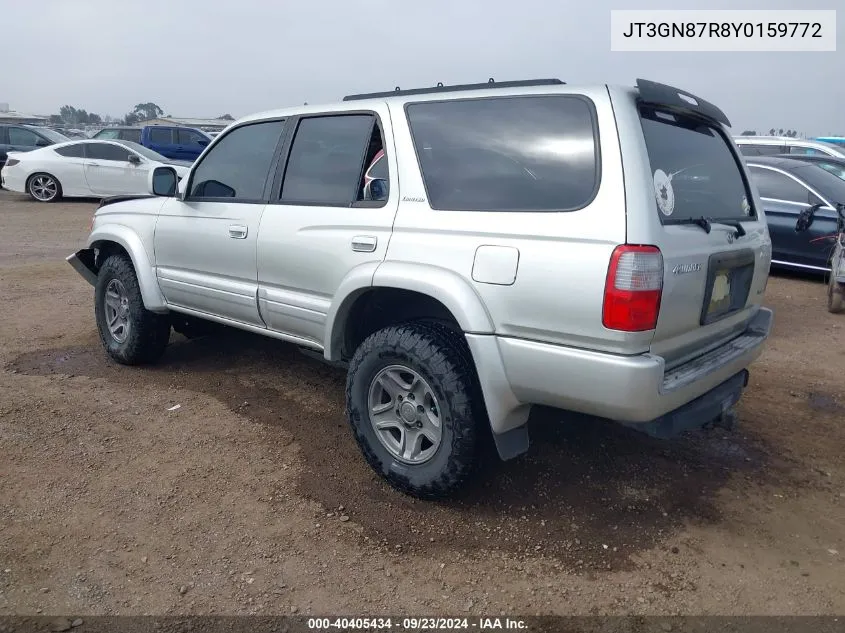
(252, 497)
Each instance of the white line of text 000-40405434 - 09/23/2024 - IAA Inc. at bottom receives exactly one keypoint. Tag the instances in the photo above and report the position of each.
(416, 624)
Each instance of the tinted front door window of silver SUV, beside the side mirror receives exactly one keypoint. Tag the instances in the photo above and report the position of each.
(237, 167)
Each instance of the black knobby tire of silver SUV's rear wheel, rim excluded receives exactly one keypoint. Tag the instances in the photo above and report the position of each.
(442, 358)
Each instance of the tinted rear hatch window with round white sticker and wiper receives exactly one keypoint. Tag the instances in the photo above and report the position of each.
(695, 174)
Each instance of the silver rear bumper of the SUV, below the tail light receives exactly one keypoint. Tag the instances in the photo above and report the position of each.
(629, 389)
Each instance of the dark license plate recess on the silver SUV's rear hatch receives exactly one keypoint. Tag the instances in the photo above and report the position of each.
(729, 278)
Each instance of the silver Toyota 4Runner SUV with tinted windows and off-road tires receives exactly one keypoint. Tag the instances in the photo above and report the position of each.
(467, 252)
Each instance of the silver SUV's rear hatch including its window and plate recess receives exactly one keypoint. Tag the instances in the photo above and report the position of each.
(712, 236)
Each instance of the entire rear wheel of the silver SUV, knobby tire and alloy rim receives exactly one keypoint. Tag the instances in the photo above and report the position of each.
(415, 409)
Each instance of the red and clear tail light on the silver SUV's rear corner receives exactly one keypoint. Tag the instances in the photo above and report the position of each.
(633, 288)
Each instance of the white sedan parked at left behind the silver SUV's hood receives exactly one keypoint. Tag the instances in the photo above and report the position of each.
(84, 169)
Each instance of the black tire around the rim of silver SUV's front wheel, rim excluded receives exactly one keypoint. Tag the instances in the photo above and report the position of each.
(149, 332)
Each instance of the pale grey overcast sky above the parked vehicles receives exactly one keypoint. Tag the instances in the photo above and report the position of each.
(204, 58)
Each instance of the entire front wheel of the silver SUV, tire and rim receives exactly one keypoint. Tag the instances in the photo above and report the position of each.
(131, 334)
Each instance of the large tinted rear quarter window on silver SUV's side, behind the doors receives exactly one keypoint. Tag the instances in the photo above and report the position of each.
(532, 153)
